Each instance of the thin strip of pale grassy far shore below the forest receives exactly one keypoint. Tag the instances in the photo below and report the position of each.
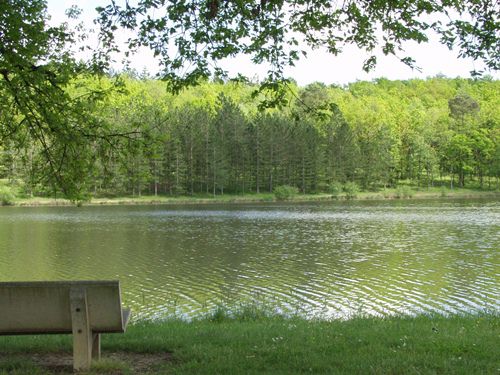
(433, 193)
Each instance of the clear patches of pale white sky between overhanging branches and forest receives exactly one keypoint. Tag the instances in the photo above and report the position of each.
(319, 66)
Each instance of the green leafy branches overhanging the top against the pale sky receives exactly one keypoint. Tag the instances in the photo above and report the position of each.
(191, 36)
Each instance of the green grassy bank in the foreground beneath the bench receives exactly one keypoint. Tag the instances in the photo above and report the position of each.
(274, 345)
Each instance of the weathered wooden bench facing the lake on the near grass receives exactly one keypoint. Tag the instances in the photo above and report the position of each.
(84, 308)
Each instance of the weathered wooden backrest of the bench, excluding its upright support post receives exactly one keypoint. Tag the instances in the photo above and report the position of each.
(44, 307)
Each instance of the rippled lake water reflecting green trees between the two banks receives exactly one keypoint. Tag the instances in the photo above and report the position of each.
(328, 259)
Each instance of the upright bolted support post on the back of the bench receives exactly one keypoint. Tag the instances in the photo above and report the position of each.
(82, 335)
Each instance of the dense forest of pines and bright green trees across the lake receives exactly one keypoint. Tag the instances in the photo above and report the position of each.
(215, 138)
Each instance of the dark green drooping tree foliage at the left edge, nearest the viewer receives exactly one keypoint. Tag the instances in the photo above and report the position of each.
(37, 72)
